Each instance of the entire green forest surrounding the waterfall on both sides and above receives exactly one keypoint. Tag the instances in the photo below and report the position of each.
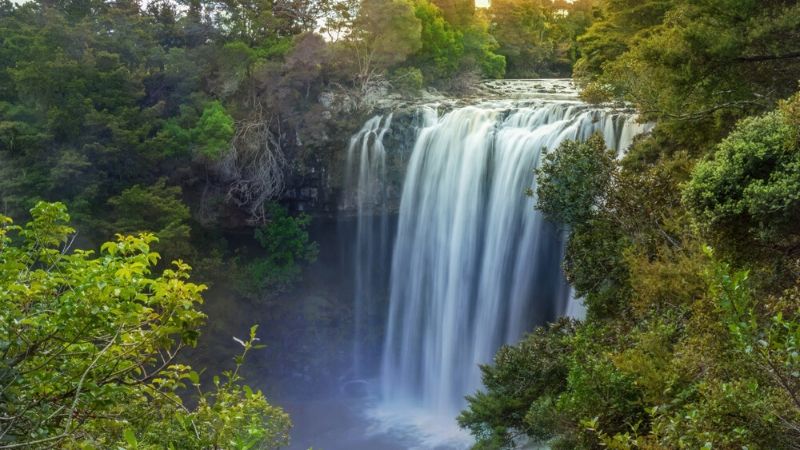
(151, 150)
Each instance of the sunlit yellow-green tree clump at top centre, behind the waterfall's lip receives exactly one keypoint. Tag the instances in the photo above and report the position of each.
(446, 45)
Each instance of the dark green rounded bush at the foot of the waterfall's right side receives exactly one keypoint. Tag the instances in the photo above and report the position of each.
(544, 387)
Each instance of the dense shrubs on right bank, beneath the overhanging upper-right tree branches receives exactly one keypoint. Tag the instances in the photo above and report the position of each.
(675, 352)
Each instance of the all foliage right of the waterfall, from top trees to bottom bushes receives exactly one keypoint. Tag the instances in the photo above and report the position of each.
(682, 347)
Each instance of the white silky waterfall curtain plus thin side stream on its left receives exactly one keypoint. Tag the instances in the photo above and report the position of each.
(474, 266)
